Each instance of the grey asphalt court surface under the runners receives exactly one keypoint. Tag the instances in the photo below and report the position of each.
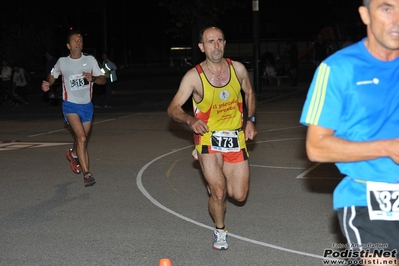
(150, 199)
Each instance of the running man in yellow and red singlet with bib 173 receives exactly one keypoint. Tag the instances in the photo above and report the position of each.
(220, 134)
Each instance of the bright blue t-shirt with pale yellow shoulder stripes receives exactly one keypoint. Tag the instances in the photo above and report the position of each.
(357, 96)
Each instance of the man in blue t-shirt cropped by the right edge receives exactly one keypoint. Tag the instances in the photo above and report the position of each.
(352, 114)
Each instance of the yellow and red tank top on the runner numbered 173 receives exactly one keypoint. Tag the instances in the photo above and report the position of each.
(221, 108)
